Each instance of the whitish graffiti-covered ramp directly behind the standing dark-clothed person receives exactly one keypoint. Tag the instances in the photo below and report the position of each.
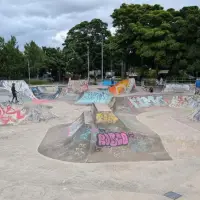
(20, 85)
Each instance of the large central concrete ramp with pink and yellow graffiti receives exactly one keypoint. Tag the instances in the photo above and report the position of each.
(100, 136)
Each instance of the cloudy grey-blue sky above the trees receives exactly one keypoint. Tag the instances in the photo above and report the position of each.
(47, 21)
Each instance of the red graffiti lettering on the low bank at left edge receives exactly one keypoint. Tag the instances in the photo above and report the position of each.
(8, 114)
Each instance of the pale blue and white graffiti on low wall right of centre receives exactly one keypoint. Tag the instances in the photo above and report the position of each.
(142, 102)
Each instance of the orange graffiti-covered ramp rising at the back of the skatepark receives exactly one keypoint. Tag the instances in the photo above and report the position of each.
(124, 86)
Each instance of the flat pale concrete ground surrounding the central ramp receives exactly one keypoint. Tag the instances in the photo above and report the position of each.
(27, 175)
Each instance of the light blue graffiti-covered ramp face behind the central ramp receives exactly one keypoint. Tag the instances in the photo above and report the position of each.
(95, 97)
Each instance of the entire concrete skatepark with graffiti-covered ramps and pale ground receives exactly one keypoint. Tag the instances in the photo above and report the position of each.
(78, 141)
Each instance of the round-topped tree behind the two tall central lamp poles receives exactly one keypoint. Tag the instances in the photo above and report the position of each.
(77, 41)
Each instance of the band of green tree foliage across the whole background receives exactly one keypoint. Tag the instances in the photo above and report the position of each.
(147, 36)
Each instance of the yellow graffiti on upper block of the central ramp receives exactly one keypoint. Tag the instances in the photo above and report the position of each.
(106, 117)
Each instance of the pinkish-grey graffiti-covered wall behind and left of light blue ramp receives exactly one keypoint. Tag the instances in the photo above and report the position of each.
(77, 86)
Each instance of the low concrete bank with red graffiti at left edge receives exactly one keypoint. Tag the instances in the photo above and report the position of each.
(15, 114)
